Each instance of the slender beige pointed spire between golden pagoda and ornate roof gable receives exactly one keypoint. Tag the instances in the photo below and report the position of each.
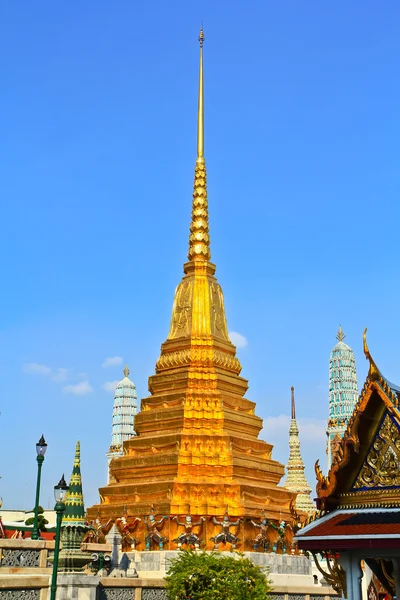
(296, 479)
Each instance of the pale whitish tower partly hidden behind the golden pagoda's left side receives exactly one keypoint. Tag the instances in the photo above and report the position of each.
(124, 411)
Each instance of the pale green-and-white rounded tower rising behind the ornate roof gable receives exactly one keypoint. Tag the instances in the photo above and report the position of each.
(343, 393)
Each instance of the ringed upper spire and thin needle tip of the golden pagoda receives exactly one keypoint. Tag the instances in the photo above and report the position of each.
(199, 241)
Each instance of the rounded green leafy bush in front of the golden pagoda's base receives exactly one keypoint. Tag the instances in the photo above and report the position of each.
(215, 576)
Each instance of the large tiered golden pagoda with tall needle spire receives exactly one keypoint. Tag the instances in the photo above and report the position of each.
(197, 450)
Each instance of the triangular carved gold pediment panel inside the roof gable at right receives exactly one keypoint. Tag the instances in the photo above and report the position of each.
(381, 467)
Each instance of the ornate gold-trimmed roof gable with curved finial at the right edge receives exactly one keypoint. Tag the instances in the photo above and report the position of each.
(365, 471)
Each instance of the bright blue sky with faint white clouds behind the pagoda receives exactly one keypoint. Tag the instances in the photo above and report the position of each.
(98, 122)
